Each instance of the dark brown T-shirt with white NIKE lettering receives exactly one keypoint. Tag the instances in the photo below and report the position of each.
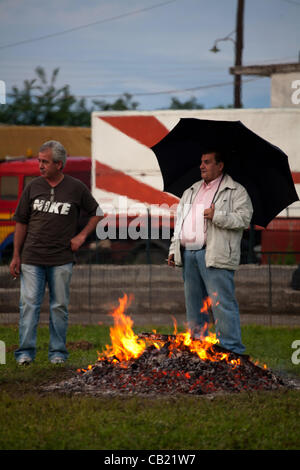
(52, 216)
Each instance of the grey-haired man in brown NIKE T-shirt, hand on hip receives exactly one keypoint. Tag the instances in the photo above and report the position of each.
(45, 240)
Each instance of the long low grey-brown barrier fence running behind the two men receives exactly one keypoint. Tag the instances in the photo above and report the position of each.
(268, 293)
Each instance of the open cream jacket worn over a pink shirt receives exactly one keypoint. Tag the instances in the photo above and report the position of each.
(233, 212)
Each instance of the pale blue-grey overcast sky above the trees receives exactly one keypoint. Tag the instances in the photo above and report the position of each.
(146, 47)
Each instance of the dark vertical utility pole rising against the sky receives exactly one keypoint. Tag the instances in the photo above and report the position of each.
(239, 44)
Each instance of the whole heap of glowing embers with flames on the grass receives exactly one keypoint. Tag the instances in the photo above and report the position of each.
(152, 363)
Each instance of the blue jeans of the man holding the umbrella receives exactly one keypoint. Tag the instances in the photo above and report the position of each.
(201, 282)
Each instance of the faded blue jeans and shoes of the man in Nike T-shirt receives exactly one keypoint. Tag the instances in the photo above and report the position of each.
(33, 284)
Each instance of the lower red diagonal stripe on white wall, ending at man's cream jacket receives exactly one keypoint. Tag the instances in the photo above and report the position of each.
(117, 182)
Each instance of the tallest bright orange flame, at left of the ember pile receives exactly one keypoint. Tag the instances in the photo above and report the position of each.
(125, 343)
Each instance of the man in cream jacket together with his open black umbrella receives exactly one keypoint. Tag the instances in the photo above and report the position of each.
(219, 197)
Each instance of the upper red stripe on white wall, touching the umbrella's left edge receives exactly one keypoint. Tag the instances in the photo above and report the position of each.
(147, 130)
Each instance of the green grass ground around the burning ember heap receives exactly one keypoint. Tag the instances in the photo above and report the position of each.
(31, 419)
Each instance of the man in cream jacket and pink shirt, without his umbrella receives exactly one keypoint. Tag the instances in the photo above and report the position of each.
(211, 217)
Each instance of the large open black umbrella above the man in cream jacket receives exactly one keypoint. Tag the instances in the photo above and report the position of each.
(262, 168)
